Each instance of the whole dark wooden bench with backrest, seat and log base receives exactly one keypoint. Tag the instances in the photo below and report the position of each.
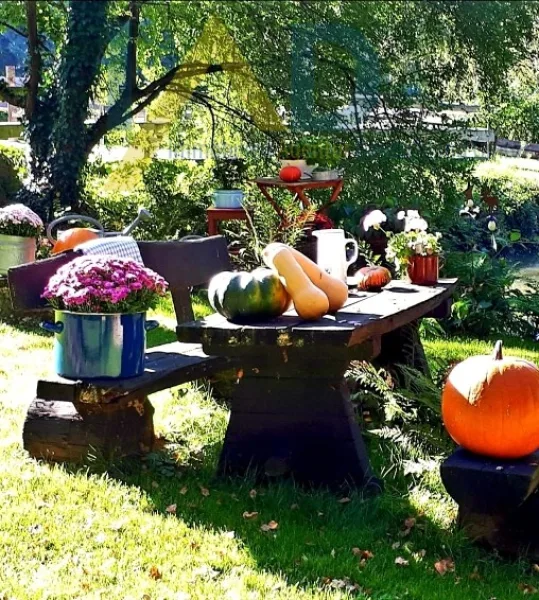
(68, 420)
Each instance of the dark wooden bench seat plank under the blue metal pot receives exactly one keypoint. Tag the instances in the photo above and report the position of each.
(167, 365)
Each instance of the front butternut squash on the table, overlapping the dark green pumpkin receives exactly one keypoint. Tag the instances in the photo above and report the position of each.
(310, 302)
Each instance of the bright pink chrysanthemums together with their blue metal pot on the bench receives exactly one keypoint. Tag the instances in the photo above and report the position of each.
(100, 321)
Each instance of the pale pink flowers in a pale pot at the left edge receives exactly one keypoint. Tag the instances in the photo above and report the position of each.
(19, 228)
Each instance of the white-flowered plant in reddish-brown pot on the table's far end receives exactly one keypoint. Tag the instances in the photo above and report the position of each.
(415, 250)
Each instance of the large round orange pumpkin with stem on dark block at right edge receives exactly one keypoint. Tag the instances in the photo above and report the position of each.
(490, 405)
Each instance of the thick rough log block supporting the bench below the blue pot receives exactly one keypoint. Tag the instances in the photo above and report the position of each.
(73, 432)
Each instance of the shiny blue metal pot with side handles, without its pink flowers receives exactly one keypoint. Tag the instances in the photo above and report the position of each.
(97, 346)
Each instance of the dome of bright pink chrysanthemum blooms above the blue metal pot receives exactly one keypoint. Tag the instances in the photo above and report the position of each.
(104, 284)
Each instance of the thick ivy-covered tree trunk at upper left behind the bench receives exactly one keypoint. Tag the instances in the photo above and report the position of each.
(57, 127)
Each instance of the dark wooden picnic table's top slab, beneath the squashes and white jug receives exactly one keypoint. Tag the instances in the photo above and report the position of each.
(364, 315)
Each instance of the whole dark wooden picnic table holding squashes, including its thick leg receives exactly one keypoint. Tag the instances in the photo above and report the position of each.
(291, 410)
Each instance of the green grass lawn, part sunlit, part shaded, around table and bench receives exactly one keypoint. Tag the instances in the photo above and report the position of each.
(163, 528)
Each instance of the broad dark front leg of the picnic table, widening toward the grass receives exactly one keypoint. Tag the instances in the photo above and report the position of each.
(292, 416)
